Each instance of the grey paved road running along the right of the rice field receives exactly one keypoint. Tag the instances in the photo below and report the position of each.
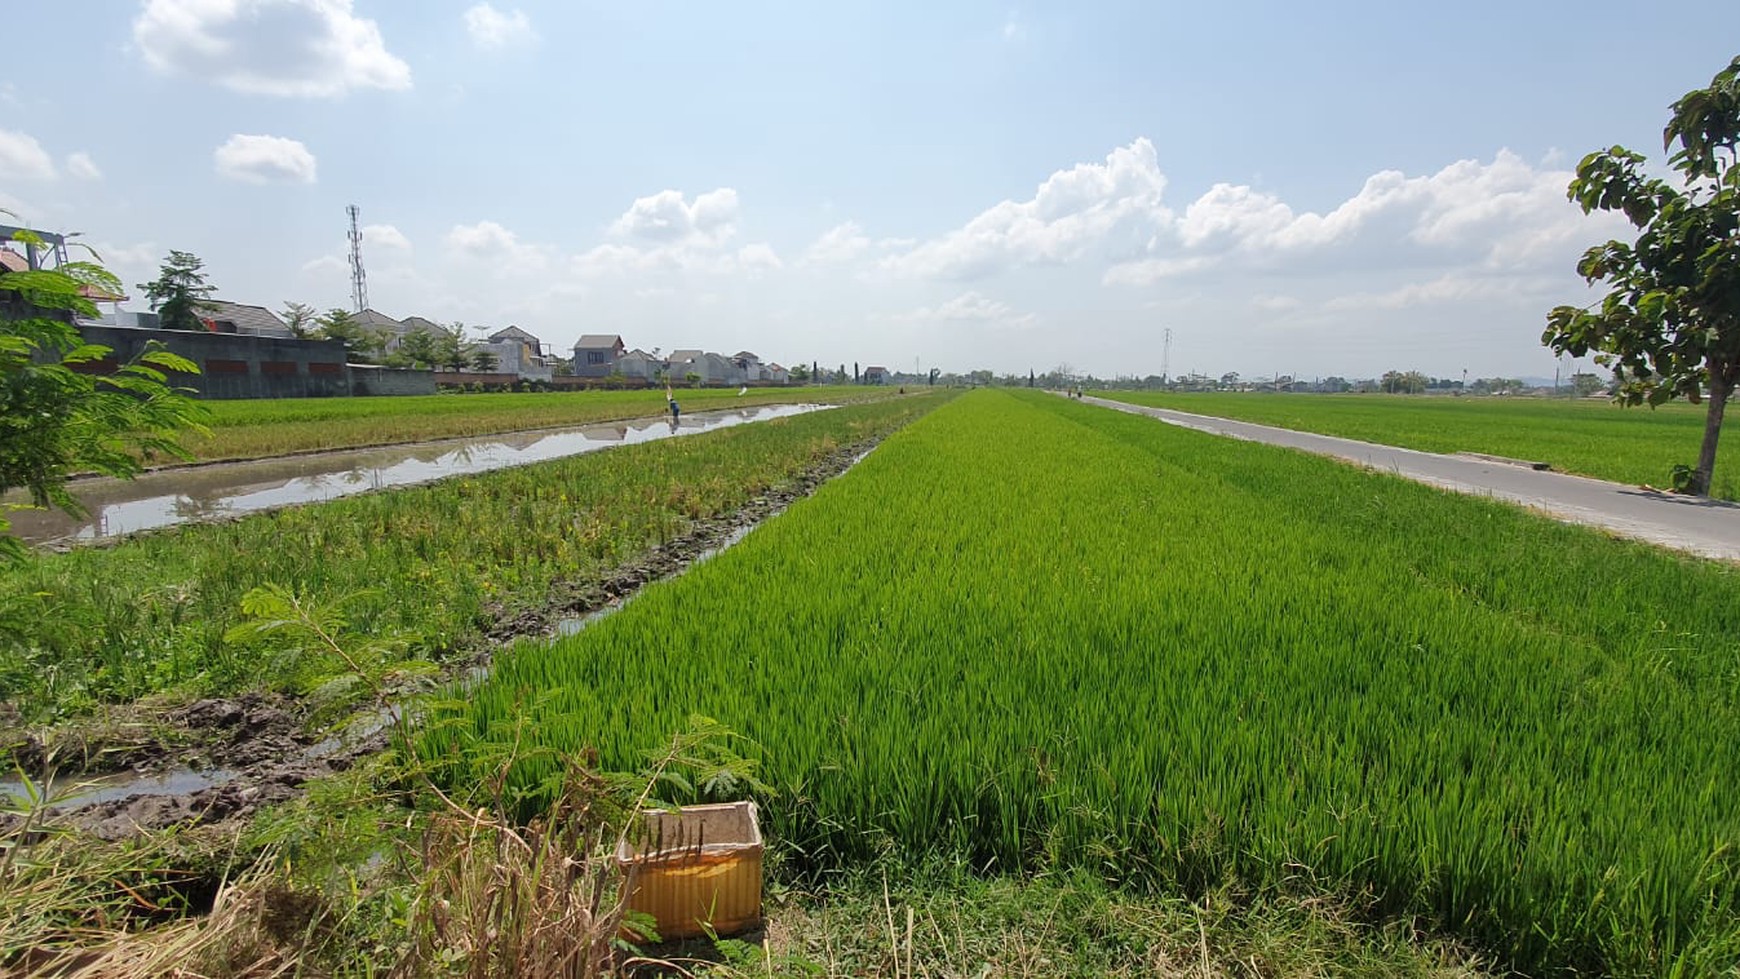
(1687, 524)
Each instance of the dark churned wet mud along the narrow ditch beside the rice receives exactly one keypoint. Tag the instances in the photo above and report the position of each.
(258, 750)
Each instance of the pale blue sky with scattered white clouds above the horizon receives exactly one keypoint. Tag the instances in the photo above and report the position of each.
(1335, 189)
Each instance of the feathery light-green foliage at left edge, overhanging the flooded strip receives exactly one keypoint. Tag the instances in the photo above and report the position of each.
(55, 420)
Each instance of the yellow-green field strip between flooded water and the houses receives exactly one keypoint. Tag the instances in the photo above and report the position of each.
(260, 429)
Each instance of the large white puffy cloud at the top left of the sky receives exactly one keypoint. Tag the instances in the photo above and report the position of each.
(269, 48)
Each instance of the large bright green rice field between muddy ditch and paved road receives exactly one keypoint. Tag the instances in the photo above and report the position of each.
(1033, 636)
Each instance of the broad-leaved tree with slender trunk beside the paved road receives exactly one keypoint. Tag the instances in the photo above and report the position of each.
(1670, 326)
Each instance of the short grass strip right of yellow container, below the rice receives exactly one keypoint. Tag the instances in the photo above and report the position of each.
(900, 922)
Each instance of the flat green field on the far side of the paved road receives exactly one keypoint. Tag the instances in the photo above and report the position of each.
(1593, 439)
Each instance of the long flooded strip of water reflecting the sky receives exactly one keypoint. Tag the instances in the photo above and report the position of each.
(206, 493)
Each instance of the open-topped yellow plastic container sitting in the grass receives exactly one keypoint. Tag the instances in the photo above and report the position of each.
(697, 870)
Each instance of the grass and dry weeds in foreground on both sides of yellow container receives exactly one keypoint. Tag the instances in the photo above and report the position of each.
(325, 886)
